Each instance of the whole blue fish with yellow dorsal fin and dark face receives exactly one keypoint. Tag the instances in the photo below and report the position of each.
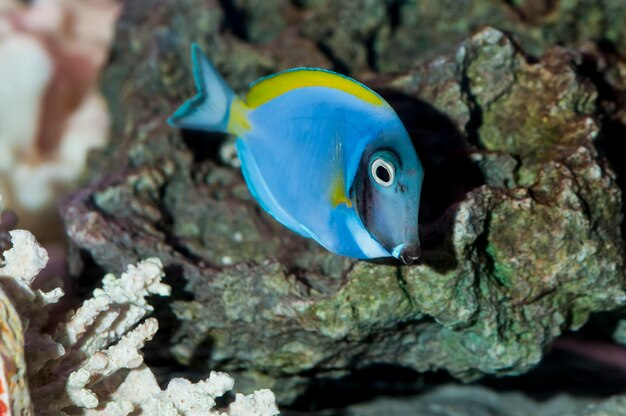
(323, 154)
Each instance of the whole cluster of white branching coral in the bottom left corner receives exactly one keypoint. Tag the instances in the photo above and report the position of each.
(92, 364)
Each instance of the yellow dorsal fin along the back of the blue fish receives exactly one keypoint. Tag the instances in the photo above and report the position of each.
(271, 87)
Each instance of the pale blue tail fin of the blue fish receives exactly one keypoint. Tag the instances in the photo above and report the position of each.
(209, 109)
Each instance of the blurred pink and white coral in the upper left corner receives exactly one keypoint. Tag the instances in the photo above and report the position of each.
(51, 113)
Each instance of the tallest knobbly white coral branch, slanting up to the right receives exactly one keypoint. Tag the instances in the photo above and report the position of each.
(98, 340)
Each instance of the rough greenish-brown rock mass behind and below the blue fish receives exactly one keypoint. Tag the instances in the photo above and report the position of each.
(521, 210)
